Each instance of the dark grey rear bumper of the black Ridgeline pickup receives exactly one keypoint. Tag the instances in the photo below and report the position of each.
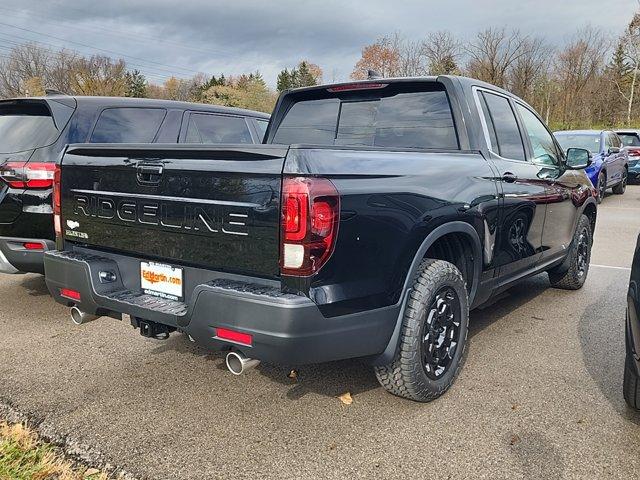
(286, 328)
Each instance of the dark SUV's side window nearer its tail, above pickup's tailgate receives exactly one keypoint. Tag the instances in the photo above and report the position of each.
(128, 125)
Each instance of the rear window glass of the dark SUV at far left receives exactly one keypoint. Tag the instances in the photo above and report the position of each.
(25, 127)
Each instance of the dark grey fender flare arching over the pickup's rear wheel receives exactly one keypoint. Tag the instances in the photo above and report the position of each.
(452, 227)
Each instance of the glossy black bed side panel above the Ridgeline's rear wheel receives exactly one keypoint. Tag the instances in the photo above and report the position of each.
(390, 202)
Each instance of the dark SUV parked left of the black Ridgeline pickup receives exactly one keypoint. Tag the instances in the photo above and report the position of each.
(35, 131)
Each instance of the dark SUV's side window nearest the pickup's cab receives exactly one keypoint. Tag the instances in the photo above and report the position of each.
(211, 129)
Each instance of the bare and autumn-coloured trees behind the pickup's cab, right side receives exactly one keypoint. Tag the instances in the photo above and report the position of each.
(590, 82)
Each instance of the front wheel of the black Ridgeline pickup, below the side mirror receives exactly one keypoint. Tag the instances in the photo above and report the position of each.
(578, 257)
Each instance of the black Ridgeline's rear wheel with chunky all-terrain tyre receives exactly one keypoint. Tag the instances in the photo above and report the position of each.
(433, 335)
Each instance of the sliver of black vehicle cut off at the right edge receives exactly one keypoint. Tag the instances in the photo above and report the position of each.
(632, 361)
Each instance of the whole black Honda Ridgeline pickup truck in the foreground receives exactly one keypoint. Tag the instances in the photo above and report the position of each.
(375, 216)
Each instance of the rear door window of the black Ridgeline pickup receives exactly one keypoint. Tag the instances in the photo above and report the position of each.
(506, 127)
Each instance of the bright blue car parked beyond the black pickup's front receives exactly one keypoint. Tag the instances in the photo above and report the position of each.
(610, 162)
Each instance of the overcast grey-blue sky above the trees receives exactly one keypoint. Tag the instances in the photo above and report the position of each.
(182, 37)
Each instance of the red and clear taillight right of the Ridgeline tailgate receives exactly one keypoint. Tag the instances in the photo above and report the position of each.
(310, 218)
